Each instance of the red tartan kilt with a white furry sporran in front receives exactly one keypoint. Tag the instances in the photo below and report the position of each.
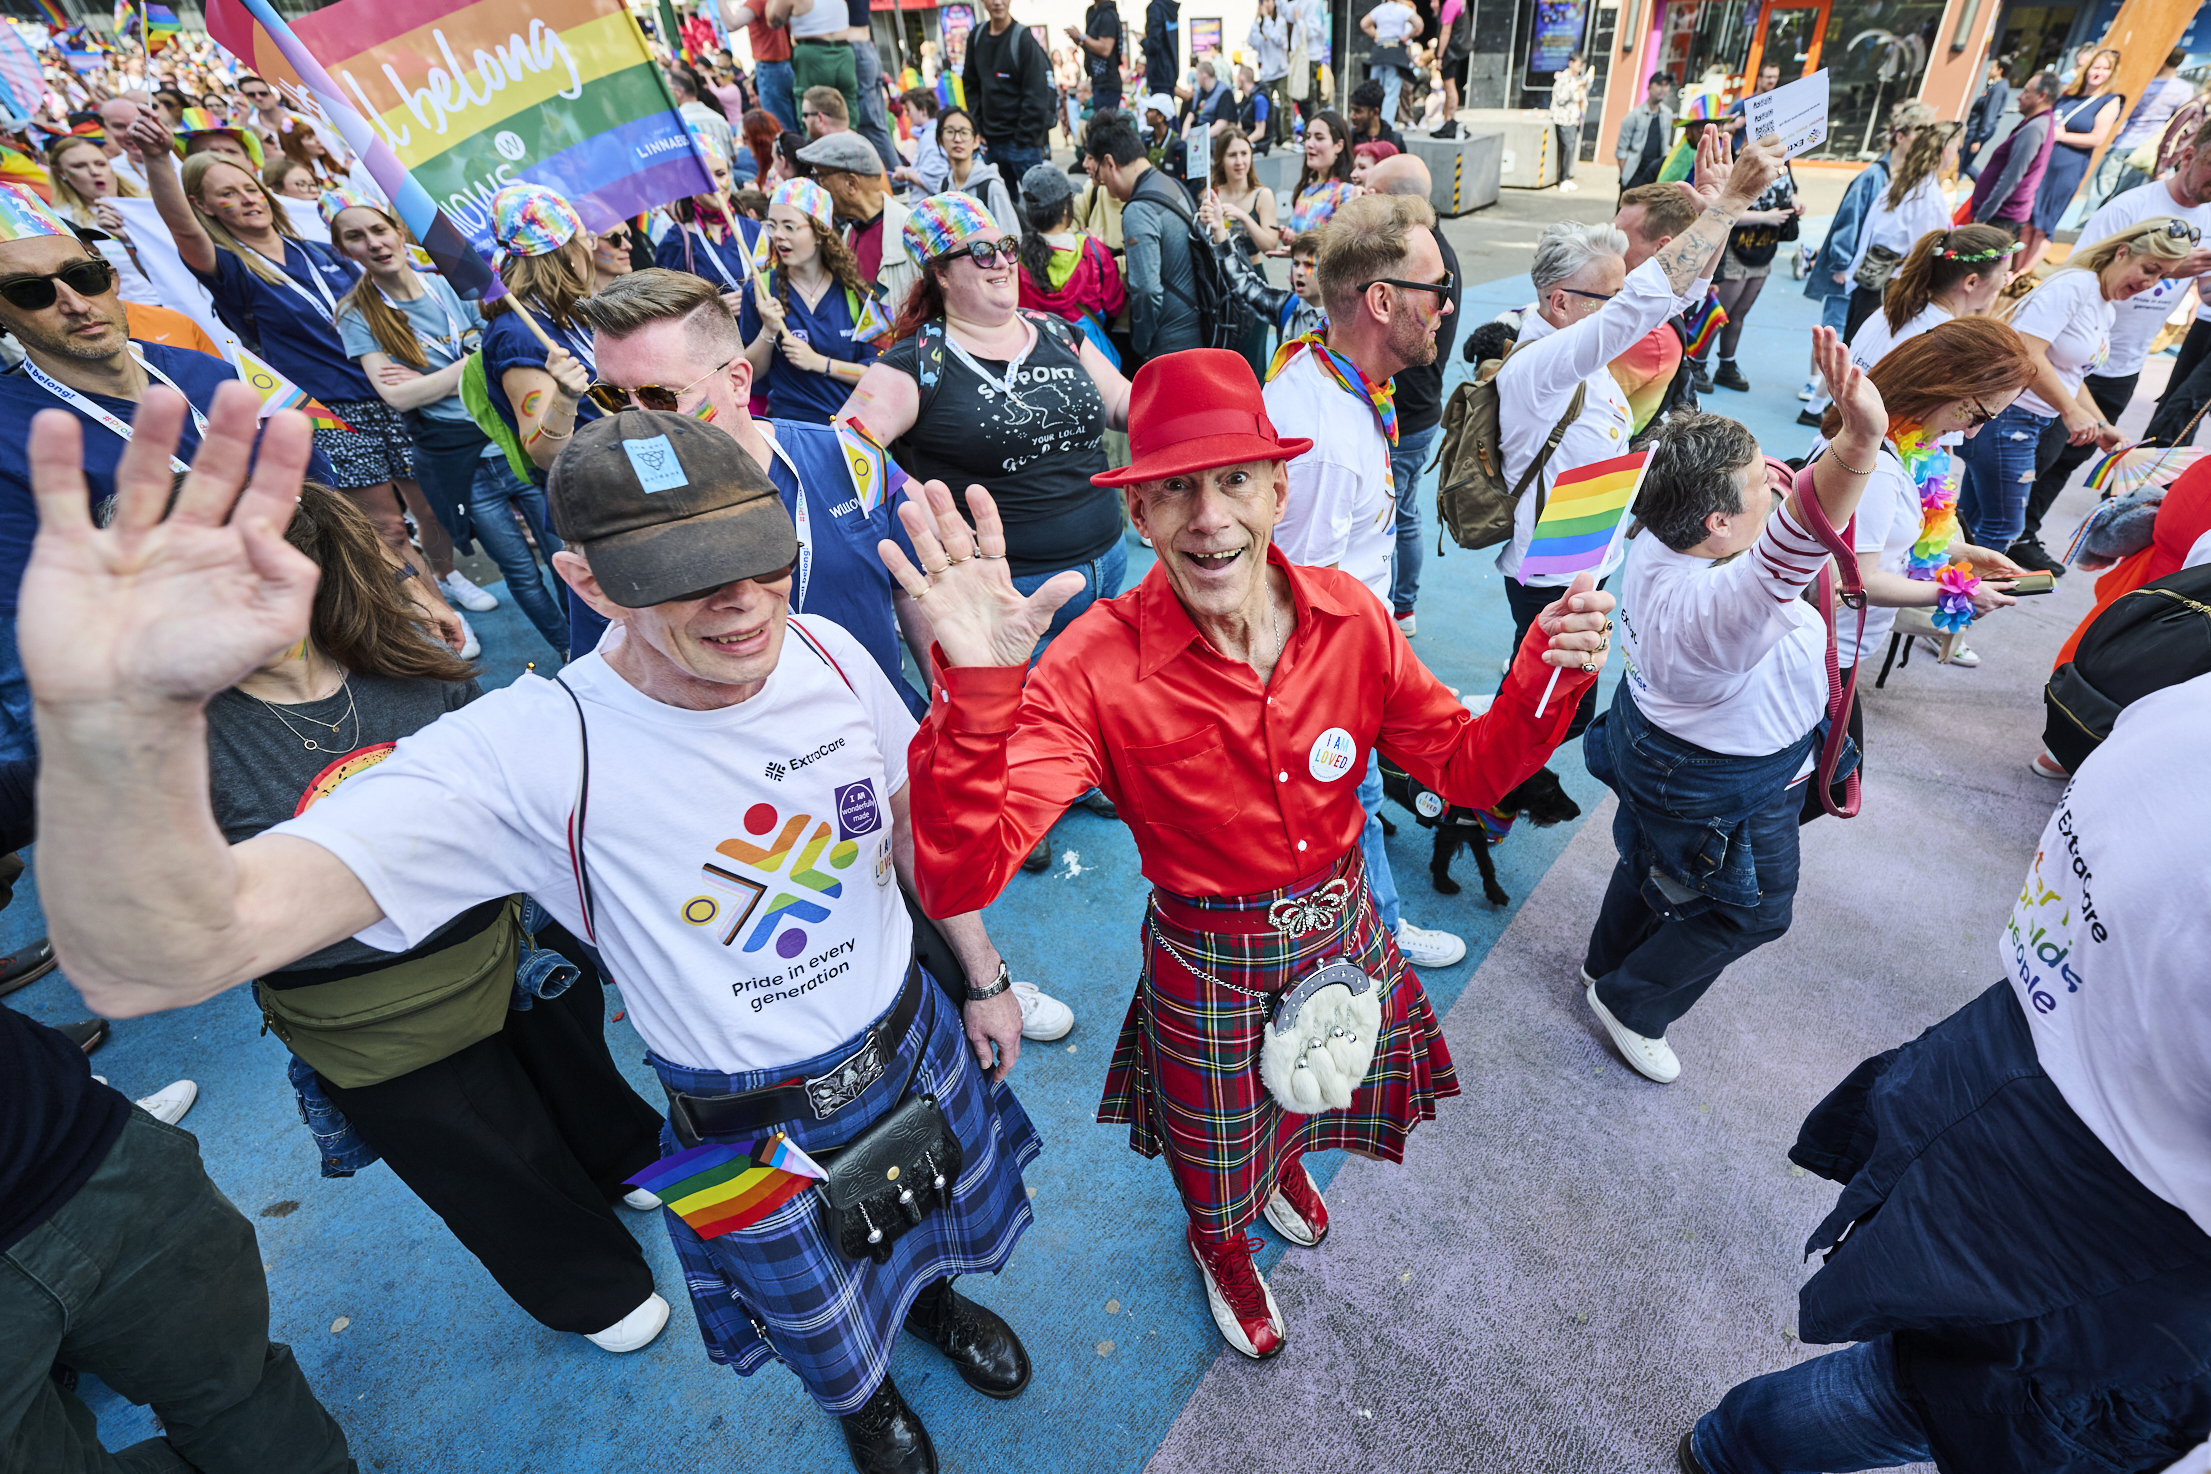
(1186, 1068)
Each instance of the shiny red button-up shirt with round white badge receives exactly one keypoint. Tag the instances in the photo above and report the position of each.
(1228, 786)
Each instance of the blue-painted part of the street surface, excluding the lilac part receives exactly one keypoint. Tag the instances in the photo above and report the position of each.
(432, 1369)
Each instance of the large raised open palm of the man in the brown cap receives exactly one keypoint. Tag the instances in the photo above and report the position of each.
(169, 602)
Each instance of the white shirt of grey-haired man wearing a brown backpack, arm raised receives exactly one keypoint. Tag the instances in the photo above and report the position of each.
(1538, 386)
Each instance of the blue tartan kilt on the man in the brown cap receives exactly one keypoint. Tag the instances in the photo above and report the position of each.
(784, 1292)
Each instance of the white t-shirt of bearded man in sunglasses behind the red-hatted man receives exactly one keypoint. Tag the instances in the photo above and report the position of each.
(1343, 503)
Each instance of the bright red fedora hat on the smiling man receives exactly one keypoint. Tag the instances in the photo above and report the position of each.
(1193, 412)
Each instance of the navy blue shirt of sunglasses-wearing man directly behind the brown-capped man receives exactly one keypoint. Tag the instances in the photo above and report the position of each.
(848, 582)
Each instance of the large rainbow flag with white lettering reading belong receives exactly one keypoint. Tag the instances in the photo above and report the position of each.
(452, 101)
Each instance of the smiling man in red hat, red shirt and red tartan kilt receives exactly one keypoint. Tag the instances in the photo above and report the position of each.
(1228, 706)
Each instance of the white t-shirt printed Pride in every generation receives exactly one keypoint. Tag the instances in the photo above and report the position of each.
(740, 859)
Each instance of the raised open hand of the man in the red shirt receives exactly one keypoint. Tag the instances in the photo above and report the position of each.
(976, 611)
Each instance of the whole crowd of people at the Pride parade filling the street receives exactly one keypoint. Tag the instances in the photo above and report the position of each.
(843, 474)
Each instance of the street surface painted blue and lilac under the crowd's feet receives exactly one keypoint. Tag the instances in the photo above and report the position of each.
(1566, 1272)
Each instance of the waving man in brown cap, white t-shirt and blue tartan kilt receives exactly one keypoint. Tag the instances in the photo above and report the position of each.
(715, 799)
